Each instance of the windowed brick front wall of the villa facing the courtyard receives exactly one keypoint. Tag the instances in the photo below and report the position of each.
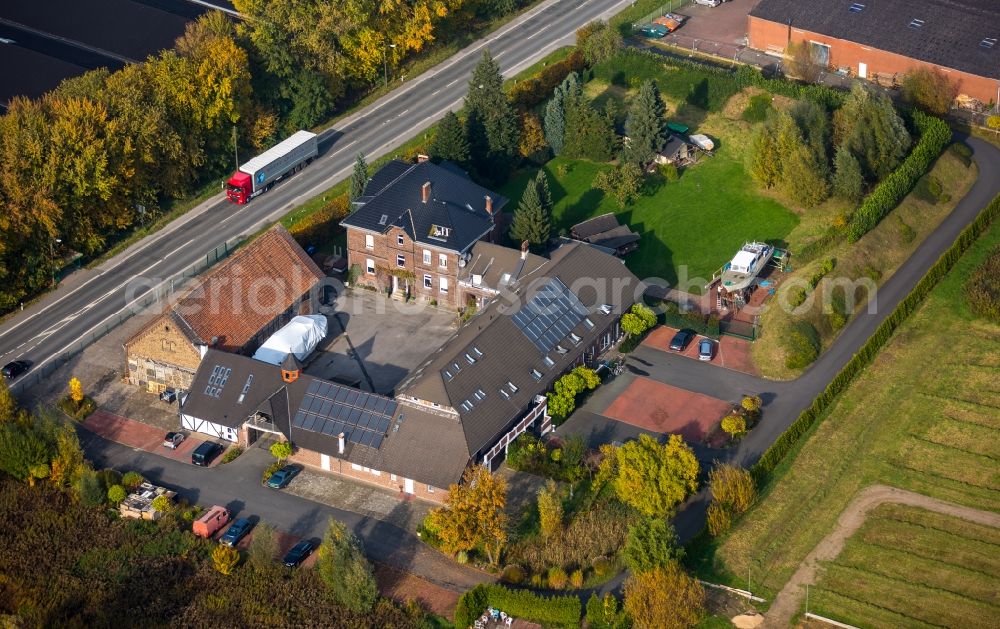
(386, 248)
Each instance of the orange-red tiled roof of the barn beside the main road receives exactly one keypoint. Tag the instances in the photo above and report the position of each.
(273, 270)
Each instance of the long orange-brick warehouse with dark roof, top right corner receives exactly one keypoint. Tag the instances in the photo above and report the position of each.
(961, 38)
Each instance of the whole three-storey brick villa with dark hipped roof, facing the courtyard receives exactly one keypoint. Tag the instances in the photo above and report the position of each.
(413, 230)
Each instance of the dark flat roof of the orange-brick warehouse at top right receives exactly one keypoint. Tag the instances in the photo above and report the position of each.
(950, 35)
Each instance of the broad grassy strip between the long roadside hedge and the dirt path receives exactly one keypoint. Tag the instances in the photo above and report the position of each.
(854, 442)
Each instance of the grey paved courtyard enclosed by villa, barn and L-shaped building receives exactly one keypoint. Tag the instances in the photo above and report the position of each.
(376, 341)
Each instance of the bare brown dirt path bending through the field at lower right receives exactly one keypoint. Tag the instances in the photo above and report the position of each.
(787, 603)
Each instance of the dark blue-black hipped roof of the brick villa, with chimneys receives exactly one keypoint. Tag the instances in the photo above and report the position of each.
(395, 199)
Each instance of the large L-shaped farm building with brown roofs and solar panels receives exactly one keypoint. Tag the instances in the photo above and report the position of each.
(462, 406)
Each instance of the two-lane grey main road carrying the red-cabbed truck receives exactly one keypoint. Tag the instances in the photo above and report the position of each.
(95, 297)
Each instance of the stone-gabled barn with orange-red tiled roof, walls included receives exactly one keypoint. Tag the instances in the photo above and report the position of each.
(234, 307)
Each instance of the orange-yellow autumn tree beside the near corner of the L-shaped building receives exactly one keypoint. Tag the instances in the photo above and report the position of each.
(473, 514)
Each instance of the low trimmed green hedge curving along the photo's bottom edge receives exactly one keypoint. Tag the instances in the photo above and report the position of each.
(547, 610)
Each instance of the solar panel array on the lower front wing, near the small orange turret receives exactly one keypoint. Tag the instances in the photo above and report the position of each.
(331, 409)
